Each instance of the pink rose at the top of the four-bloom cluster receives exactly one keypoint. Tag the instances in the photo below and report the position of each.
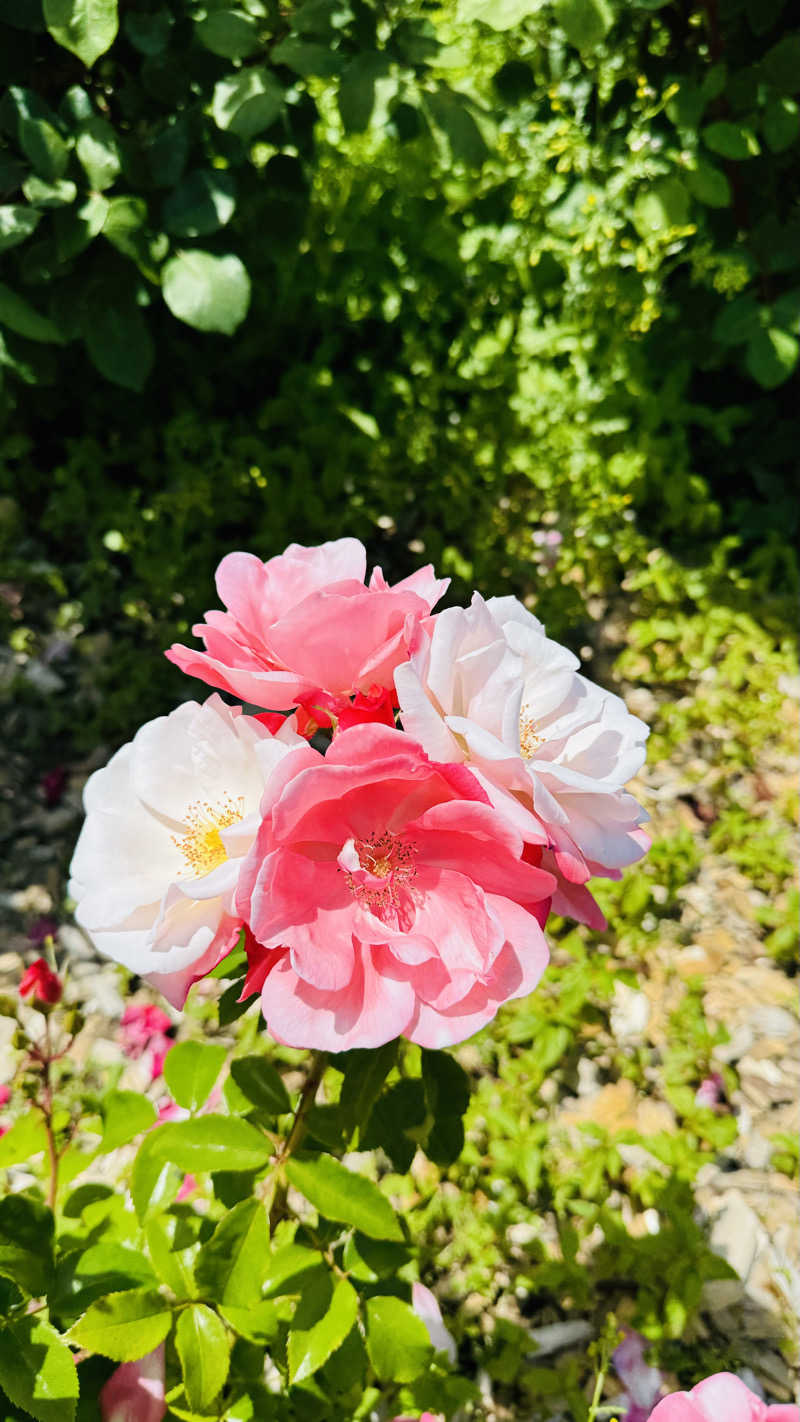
(302, 629)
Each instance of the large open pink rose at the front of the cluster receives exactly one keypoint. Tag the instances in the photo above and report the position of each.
(387, 898)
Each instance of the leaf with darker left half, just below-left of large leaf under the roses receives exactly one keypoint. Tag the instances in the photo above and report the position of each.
(232, 1266)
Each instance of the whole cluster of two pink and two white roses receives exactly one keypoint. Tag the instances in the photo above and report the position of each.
(397, 881)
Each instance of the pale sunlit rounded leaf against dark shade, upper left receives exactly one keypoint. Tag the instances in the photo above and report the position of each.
(212, 294)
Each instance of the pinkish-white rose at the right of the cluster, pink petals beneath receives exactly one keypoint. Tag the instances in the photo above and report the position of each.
(552, 750)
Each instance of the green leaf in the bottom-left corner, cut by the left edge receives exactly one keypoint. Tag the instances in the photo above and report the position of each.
(38, 1372)
